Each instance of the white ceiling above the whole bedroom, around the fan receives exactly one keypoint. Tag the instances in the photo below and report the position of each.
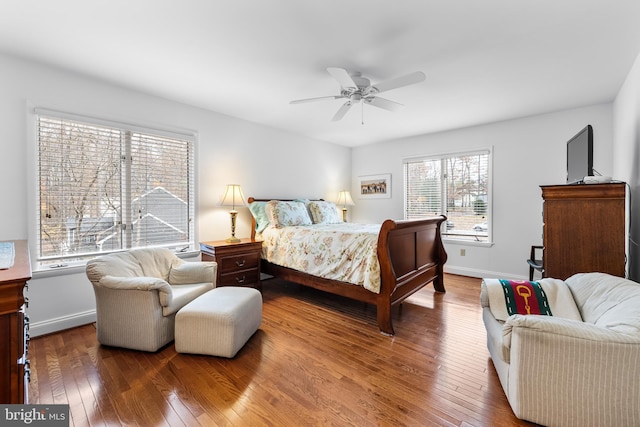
(485, 60)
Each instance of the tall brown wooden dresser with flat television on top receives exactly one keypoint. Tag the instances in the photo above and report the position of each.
(584, 229)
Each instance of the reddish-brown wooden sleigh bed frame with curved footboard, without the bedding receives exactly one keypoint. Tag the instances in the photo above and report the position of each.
(410, 255)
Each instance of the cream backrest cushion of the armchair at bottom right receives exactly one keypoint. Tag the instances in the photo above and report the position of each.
(607, 301)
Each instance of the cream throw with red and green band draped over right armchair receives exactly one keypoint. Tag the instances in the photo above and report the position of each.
(550, 297)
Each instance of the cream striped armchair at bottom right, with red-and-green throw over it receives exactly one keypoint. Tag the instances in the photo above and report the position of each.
(561, 372)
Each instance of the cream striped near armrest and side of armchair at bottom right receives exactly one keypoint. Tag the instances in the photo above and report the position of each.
(564, 370)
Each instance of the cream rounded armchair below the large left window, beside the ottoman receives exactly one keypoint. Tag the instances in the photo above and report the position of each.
(139, 292)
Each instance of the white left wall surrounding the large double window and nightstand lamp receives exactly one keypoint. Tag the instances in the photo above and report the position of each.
(265, 161)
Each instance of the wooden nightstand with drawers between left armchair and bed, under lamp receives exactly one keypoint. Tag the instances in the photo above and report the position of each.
(238, 263)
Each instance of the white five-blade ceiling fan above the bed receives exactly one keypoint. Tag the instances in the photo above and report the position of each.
(356, 88)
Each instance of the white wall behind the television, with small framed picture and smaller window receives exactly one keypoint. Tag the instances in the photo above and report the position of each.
(527, 153)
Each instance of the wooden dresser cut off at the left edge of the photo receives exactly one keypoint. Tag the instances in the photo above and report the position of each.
(14, 326)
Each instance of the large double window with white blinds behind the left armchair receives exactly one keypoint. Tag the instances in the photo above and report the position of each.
(105, 187)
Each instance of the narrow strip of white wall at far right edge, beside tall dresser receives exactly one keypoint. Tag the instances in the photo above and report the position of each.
(626, 155)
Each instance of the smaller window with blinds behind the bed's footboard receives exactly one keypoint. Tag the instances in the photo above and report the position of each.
(456, 185)
